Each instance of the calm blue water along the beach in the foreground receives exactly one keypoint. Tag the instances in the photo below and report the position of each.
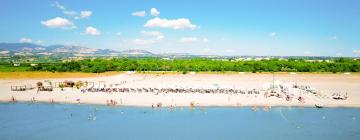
(70, 122)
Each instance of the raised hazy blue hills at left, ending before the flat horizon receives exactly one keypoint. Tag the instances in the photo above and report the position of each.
(10, 49)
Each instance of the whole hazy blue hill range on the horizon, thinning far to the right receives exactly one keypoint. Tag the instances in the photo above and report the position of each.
(29, 49)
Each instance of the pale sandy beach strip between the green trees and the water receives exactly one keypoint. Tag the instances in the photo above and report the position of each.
(325, 86)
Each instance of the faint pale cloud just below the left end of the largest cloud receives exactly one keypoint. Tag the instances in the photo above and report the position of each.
(151, 37)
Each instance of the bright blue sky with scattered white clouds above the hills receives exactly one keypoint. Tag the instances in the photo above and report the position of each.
(211, 27)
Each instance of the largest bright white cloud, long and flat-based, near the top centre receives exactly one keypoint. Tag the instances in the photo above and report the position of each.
(181, 23)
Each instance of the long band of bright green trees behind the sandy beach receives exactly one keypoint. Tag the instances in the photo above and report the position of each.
(200, 64)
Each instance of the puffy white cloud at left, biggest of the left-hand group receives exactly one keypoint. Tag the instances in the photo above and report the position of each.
(58, 22)
